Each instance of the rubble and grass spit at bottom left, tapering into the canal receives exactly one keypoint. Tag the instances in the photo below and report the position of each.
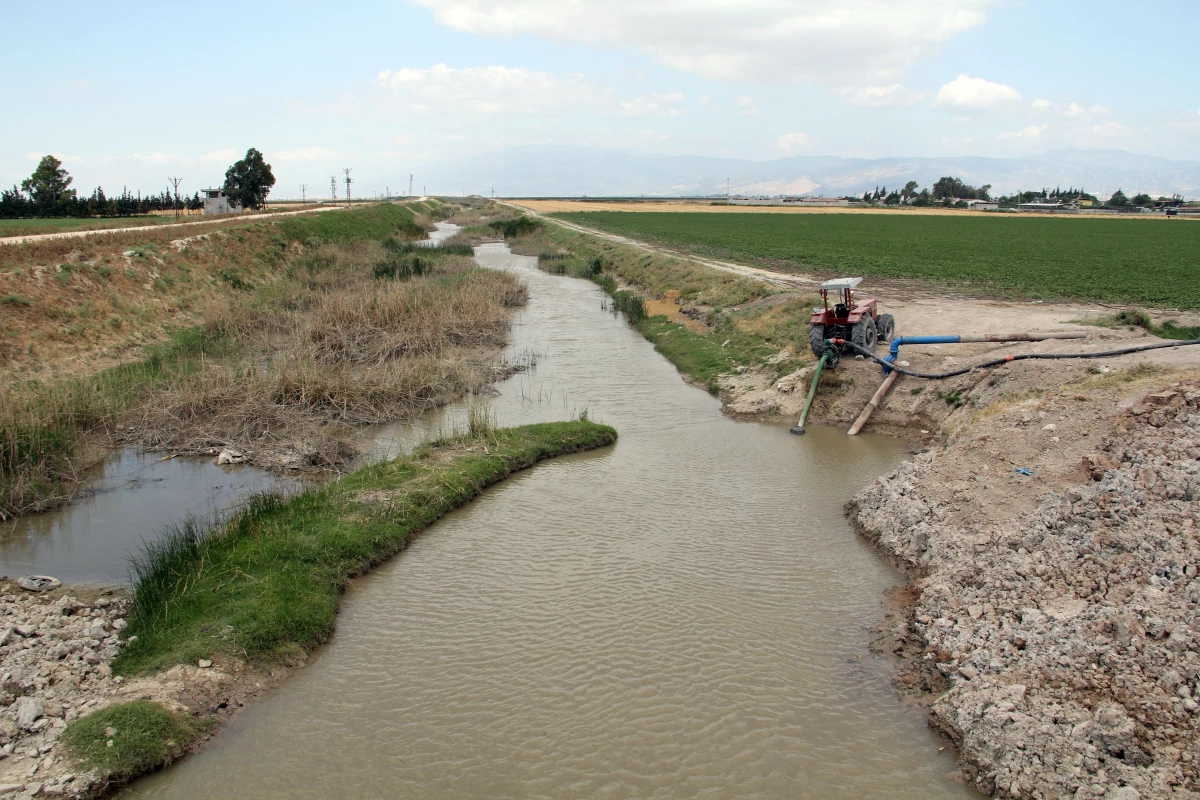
(221, 615)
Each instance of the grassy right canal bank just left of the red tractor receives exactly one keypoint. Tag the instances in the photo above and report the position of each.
(725, 329)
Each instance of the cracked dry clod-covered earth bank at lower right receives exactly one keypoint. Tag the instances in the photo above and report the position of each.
(1054, 630)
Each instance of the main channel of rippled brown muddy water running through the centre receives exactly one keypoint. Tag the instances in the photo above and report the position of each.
(685, 615)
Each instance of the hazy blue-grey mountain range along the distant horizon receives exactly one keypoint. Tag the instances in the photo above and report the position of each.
(598, 172)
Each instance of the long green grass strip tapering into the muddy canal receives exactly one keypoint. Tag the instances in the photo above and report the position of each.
(273, 573)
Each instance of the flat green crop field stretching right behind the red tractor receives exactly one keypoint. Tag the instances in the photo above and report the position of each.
(1148, 262)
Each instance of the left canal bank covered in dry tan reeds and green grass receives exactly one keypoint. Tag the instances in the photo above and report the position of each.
(304, 339)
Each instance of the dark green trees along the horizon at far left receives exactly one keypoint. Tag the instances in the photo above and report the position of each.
(49, 194)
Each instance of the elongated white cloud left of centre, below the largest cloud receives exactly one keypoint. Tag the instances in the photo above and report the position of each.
(493, 91)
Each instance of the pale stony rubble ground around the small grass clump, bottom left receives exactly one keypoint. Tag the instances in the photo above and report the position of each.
(56, 651)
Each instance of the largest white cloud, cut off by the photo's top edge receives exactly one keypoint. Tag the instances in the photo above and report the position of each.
(773, 41)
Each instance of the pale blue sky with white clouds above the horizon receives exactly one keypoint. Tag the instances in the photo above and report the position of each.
(131, 93)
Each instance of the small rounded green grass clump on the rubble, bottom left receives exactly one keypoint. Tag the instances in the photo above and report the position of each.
(145, 737)
